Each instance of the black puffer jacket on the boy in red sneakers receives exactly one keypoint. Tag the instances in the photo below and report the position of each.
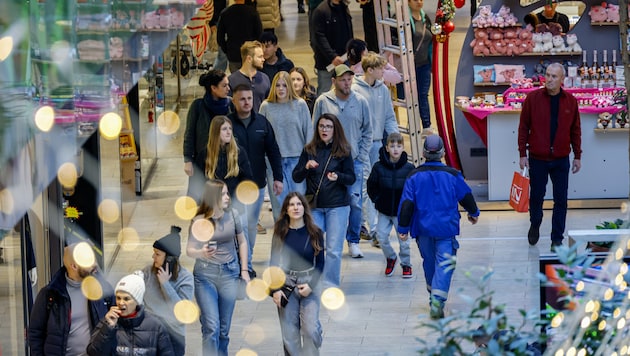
(386, 182)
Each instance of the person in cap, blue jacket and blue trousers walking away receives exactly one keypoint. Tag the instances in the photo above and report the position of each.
(429, 213)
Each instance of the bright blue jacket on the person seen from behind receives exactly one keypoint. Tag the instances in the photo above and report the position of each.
(429, 201)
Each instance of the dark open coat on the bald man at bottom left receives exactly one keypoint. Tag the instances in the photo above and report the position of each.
(50, 318)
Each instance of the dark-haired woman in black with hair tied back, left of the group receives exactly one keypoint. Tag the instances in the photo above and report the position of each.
(200, 114)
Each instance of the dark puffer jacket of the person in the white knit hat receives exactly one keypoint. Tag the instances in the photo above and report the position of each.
(140, 335)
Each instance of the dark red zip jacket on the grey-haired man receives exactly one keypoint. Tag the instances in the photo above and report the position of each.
(534, 127)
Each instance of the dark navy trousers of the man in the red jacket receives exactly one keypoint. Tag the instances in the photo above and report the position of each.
(558, 171)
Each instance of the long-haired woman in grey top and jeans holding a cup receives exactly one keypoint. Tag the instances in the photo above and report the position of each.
(217, 269)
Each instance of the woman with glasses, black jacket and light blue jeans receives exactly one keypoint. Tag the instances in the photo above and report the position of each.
(326, 164)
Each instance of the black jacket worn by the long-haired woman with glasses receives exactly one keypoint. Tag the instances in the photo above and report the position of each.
(331, 194)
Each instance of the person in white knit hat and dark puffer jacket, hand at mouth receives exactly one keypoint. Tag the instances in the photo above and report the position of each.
(127, 329)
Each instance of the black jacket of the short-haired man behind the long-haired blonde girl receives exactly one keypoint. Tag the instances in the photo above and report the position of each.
(259, 141)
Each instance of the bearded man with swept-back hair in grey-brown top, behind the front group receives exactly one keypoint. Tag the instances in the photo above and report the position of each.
(250, 73)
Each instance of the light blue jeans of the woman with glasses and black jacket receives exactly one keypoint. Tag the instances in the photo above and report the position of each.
(334, 222)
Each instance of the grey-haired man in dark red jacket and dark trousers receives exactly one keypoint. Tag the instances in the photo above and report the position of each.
(549, 128)
